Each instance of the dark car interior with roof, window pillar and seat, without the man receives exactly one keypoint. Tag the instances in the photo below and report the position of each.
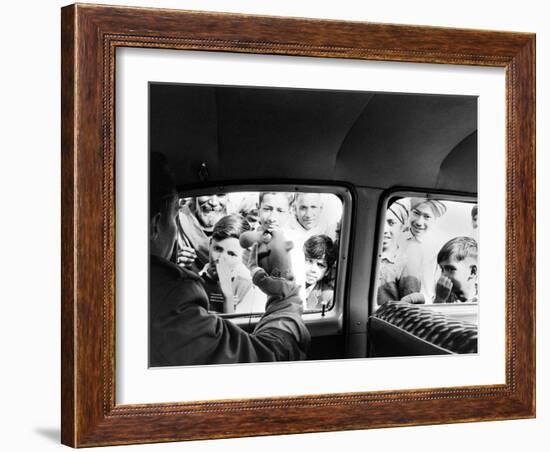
(365, 149)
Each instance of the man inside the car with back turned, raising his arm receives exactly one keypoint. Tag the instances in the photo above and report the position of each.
(181, 330)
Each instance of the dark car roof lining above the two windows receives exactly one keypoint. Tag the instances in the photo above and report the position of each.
(381, 140)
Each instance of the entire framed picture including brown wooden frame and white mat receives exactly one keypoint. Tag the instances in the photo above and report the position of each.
(278, 225)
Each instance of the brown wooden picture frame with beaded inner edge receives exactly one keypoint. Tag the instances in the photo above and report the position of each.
(90, 36)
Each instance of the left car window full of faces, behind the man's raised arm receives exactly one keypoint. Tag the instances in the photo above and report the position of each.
(297, 235)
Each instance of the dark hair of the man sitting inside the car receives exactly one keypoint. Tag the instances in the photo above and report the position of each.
(162, 186)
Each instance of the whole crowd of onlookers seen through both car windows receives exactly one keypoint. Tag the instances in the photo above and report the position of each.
(413, 267)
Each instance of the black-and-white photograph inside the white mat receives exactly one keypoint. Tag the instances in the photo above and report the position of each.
(292, 224)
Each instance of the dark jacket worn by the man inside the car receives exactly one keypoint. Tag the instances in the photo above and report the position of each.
(182, 331)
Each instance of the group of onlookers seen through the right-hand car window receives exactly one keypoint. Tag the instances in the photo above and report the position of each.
(413, 267)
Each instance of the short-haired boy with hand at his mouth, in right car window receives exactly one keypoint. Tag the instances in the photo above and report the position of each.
(459, 273)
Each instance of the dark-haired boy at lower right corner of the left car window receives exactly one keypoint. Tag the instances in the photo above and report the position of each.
(320, 256)
